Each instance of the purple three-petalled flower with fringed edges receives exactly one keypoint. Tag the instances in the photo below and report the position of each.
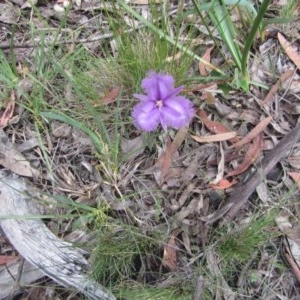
(161, 105)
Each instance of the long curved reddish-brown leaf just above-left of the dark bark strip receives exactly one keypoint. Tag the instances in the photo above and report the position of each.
(251, 155)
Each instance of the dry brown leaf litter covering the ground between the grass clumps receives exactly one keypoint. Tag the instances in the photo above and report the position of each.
(176, 187)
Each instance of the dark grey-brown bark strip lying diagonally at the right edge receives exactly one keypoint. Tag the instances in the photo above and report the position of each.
(245, 189)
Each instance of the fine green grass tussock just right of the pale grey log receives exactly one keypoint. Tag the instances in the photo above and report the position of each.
(121, 251)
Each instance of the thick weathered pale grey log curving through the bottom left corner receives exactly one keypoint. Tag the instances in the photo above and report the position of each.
(55, 258)
